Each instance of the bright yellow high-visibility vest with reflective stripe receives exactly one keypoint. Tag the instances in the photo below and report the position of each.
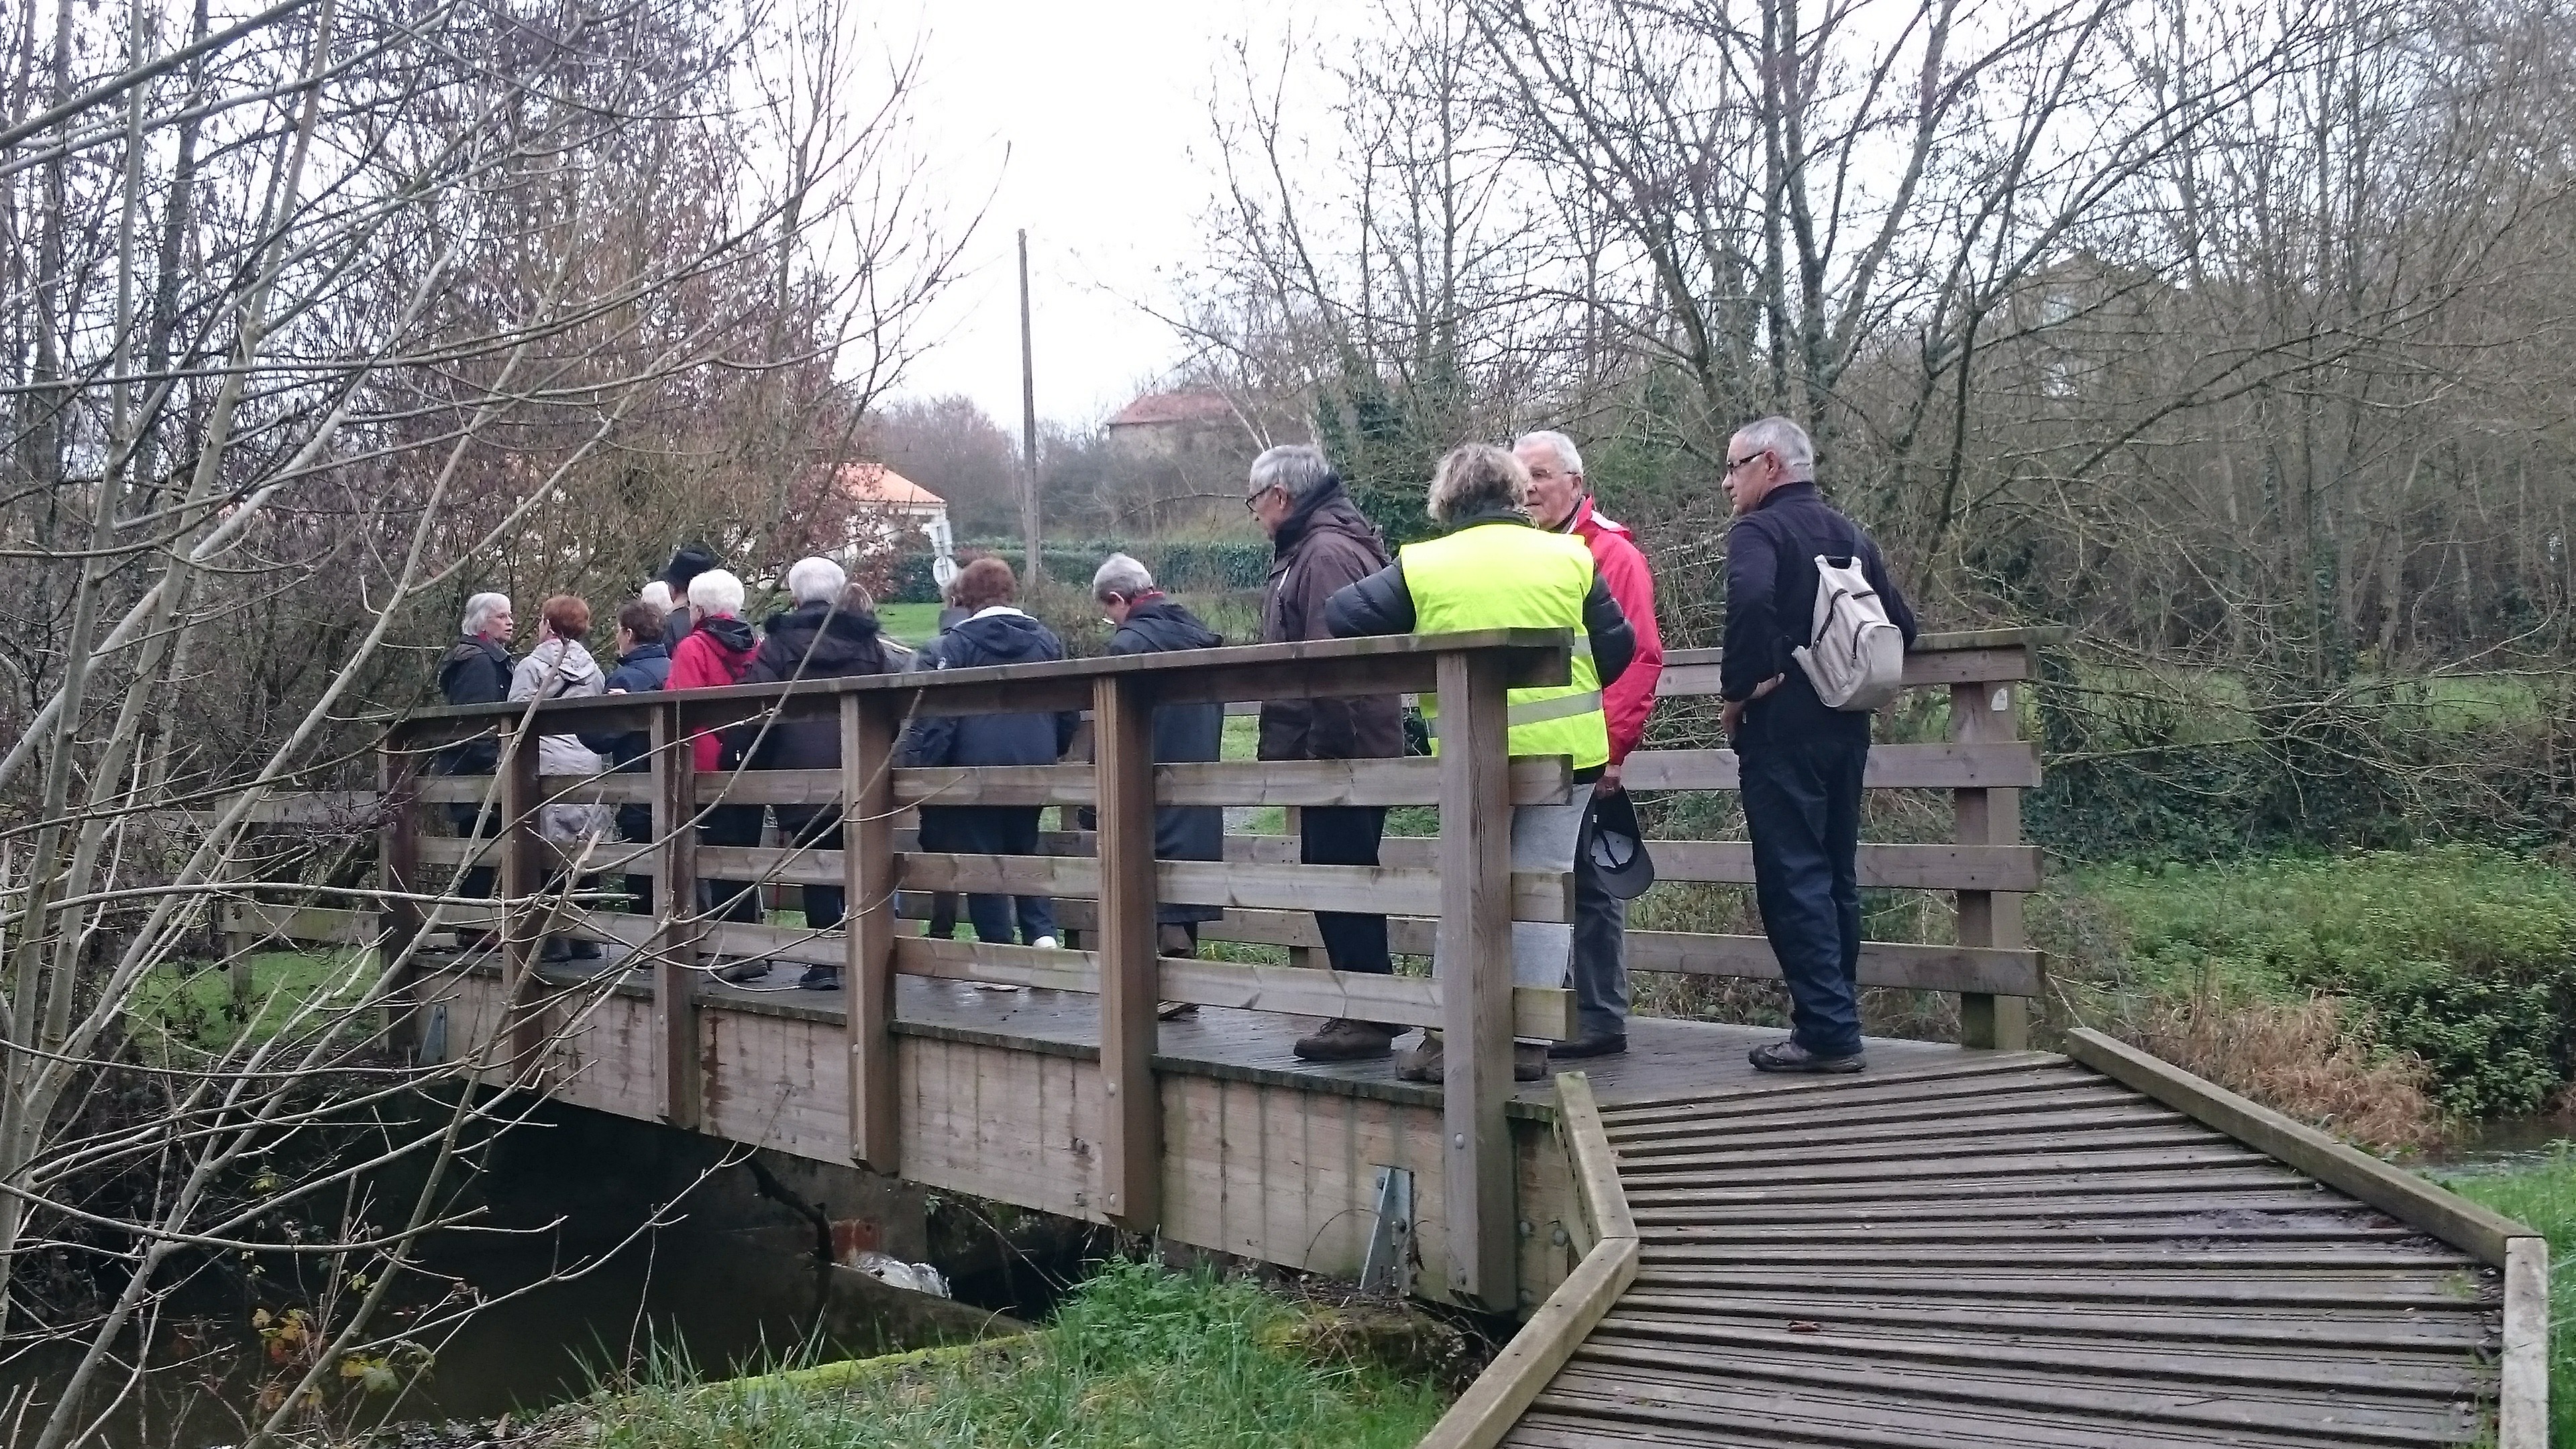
(1511, 576)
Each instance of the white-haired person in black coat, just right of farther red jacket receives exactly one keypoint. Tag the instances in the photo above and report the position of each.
(828, 636)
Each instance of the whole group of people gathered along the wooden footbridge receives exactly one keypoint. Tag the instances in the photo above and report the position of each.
(1521, 545)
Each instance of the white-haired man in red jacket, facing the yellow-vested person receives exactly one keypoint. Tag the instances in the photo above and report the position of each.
(1560, 499)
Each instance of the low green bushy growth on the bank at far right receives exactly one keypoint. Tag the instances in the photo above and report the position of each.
(2461, 955)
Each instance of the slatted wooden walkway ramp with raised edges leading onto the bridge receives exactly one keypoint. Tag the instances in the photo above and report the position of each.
(2011, 1252)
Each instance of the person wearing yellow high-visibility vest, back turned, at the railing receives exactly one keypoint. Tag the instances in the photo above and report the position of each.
(1495, 571)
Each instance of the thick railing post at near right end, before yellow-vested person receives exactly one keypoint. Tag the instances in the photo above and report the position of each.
(1475, 960)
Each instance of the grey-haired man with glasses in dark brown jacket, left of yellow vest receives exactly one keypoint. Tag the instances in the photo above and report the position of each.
(1320, 543)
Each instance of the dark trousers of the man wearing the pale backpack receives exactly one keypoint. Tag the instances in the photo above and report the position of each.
(1802, 808)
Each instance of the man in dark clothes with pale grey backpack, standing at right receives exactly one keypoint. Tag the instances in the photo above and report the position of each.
(1799, 759)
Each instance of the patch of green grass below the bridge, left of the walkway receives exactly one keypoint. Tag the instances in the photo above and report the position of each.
(1137, 1357)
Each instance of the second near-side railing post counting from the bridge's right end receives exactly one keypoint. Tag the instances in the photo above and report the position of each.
(1130, 963)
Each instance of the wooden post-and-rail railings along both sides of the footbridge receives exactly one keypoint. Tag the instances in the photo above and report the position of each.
(1452, 896)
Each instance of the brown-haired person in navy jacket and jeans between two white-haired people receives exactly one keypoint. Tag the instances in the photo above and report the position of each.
(993, 636)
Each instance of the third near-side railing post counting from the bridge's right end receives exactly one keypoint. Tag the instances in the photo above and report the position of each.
(867, 842)
